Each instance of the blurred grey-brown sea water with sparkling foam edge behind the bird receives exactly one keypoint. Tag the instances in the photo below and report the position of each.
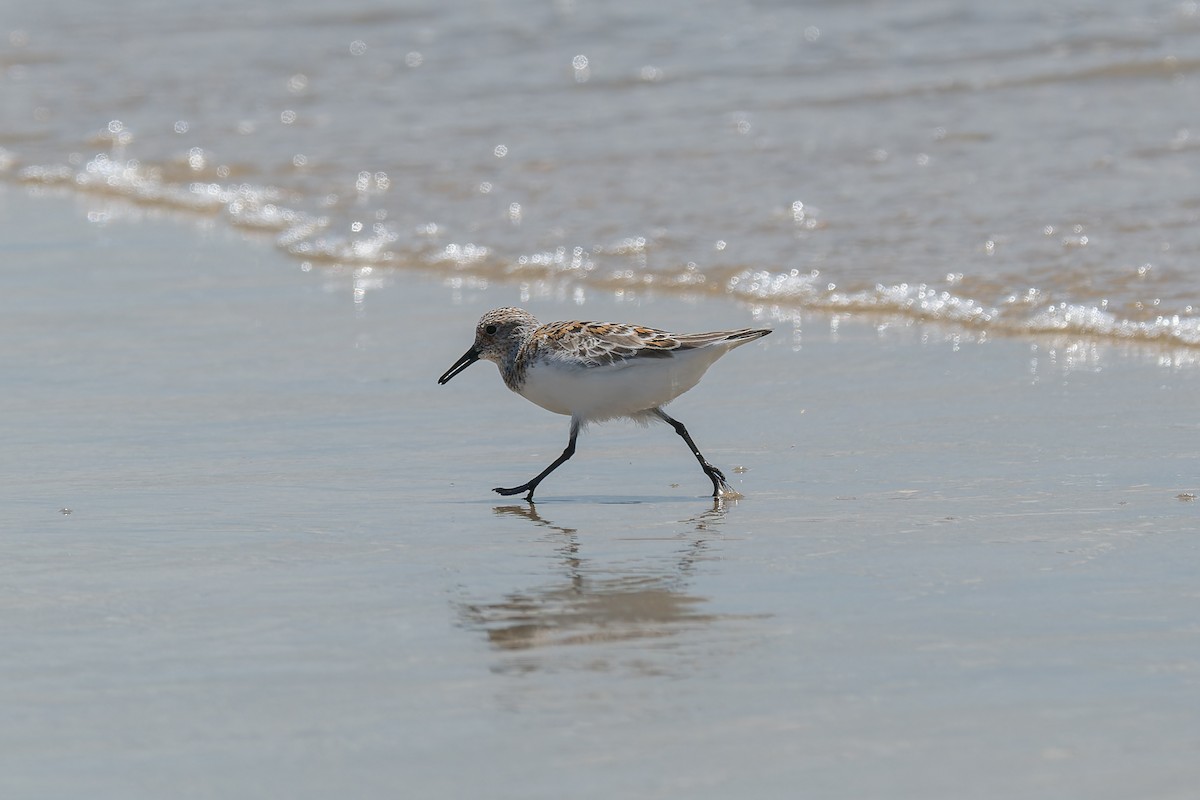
(1004, 167)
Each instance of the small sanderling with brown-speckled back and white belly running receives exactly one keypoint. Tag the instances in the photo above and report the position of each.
(598, 371)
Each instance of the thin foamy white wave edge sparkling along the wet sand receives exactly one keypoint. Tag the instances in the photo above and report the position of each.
(619, 267)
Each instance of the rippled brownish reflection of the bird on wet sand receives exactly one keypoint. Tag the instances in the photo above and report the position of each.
(592, 605)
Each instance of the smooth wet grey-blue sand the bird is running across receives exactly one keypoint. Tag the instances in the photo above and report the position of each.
(251, 550)
